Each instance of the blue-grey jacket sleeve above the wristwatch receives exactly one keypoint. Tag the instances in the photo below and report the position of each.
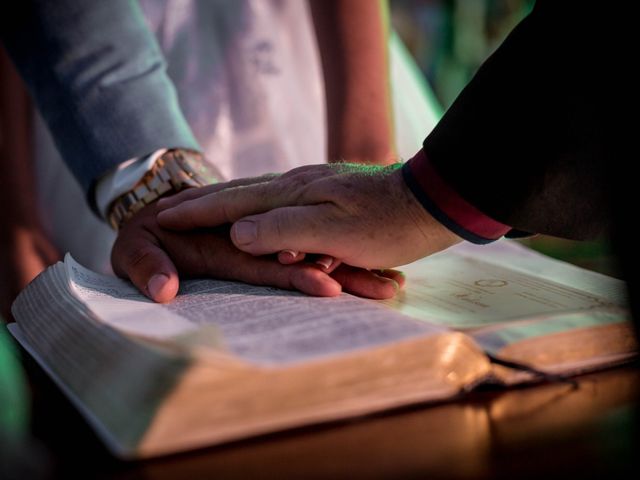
(98, 76)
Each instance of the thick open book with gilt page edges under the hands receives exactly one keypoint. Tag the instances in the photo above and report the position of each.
(227, 360)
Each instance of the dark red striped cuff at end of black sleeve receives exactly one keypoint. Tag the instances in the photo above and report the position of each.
(446, 206)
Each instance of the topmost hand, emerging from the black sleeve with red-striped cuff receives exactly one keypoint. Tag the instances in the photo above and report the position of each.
(364, 216)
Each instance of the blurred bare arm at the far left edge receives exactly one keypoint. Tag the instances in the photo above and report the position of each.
(25, 249)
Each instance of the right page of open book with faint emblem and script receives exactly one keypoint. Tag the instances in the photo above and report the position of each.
(462, 290)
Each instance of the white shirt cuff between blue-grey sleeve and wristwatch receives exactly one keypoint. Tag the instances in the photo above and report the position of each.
(122, 179)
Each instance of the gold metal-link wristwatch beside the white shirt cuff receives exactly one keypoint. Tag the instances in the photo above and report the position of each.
(175, 170)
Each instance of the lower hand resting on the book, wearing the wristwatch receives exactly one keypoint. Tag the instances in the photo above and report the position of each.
(154, 258)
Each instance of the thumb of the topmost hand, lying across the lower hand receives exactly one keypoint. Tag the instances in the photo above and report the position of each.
(300, 228)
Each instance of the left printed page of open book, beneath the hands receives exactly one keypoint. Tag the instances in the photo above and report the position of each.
(260, 324)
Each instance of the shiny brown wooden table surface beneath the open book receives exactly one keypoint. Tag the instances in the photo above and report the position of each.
(549, 430)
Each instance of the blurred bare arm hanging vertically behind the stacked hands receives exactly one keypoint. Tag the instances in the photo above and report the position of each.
(352, 39)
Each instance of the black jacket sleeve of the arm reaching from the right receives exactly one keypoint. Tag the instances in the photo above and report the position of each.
(524, 141)
